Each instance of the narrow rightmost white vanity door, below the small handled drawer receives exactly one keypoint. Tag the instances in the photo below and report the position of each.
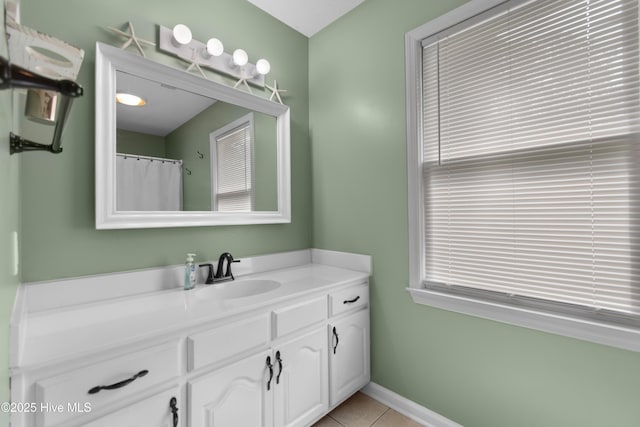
(349, 355)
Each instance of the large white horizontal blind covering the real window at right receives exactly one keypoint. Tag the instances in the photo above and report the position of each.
(530, 168)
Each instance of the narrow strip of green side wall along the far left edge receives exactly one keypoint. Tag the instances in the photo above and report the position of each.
(9, 223)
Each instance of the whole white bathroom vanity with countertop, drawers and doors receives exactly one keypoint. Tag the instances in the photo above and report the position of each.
(275, 347)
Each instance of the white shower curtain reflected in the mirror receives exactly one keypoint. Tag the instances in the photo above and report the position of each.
(148, 183)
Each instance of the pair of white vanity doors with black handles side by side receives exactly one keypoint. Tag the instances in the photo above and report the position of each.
(287, 386)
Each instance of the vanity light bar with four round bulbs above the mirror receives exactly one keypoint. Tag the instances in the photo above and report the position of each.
(179, 42)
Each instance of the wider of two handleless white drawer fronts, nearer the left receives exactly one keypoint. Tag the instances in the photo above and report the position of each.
(224, 342)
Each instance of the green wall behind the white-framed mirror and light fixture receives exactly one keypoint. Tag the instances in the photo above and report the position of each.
(59, 236)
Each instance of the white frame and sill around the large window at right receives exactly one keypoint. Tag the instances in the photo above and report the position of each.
(565, 324)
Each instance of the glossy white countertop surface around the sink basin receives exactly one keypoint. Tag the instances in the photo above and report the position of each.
(55, 335)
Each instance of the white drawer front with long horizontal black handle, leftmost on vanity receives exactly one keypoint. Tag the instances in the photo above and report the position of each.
(71, 390)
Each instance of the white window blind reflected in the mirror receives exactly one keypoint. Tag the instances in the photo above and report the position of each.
(234, 170)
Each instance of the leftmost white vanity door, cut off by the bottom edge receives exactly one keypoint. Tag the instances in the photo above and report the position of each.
(155, 411)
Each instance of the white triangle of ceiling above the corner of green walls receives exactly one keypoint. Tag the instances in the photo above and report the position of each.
(306, 16)
